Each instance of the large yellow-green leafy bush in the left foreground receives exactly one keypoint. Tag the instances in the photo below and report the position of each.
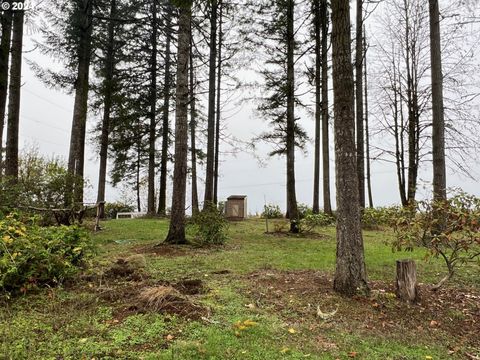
(33, 256)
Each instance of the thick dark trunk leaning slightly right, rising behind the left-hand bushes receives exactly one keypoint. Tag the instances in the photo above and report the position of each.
(76, 156)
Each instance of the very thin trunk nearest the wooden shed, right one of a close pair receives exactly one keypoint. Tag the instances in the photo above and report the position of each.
(219, 93)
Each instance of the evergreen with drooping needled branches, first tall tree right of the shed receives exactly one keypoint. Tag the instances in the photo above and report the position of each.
(278, 106)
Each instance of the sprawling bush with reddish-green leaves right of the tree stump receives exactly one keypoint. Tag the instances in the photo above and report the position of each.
(448, 229)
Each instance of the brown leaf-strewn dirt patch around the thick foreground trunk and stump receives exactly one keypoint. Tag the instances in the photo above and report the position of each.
(306, 297)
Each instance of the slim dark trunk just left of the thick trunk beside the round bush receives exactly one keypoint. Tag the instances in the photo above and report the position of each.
(162, 204)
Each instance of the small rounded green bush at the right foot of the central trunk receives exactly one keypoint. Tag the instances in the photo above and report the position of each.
(208, 227)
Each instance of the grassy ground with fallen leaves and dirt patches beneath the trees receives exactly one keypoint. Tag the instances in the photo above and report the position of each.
(261, 296)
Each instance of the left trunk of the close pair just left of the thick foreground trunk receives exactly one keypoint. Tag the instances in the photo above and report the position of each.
(318, 106)
